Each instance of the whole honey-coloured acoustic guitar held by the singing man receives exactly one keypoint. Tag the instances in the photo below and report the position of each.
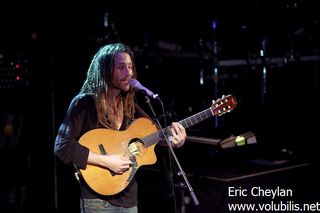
(138, 143)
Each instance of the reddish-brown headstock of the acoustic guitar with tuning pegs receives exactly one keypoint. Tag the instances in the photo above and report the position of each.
(223, 105)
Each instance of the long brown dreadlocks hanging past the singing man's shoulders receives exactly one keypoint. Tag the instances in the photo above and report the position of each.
(99, 77)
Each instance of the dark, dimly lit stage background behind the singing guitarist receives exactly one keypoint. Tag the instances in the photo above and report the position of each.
(49, 46)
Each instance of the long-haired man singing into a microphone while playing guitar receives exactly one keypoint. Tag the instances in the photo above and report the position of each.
(106, 100)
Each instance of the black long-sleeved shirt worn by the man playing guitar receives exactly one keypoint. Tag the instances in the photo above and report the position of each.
(81, 117)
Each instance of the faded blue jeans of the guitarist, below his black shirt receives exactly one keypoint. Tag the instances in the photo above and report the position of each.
(102, 206)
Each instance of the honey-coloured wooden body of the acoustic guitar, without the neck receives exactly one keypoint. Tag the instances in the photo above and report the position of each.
(126, 143)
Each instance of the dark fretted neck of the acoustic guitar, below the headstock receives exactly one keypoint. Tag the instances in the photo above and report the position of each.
(157, 136)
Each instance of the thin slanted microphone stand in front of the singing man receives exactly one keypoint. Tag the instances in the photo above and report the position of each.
(180, 172)
